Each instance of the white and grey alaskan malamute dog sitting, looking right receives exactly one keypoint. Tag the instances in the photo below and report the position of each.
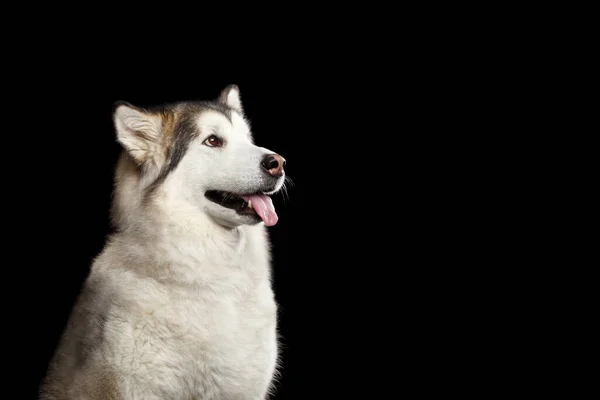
(179, 304)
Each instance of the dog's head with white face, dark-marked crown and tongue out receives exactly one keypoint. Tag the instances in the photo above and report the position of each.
(198, 156)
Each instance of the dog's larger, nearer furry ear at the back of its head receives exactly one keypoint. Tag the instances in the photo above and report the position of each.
(140, 134)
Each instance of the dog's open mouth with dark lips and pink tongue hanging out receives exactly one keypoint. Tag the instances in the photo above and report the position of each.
(256, 204)
